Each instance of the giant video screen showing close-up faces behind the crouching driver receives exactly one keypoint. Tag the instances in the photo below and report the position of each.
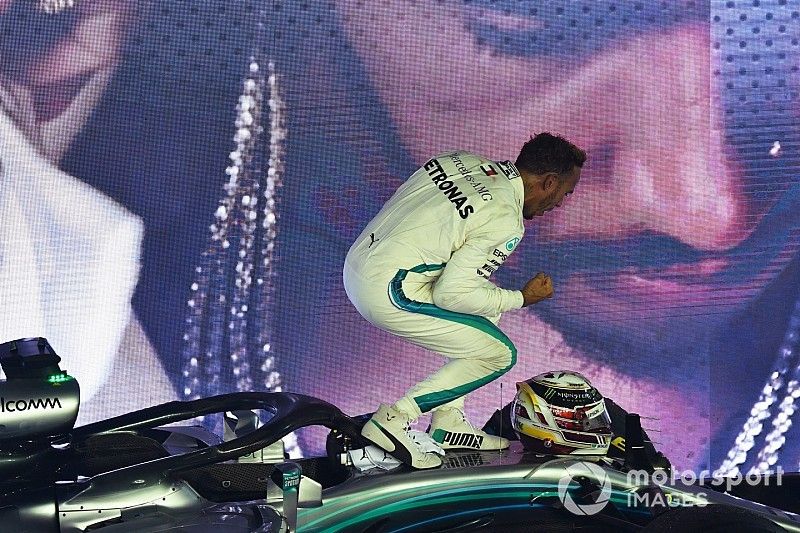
(181, 182)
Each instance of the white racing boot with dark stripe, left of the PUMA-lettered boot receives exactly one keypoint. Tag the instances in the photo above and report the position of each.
(389, 429)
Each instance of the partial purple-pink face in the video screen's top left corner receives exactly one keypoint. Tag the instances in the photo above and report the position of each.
(57, 56)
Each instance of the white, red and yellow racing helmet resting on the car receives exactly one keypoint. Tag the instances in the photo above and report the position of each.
(561, 413)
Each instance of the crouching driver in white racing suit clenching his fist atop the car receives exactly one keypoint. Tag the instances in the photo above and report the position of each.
(420, 270)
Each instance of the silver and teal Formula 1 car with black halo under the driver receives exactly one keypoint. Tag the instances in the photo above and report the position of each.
(135, 473)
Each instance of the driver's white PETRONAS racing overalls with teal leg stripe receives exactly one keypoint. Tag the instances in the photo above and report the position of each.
(420, 270)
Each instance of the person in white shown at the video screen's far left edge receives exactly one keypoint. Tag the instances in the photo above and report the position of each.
(54, 68)
